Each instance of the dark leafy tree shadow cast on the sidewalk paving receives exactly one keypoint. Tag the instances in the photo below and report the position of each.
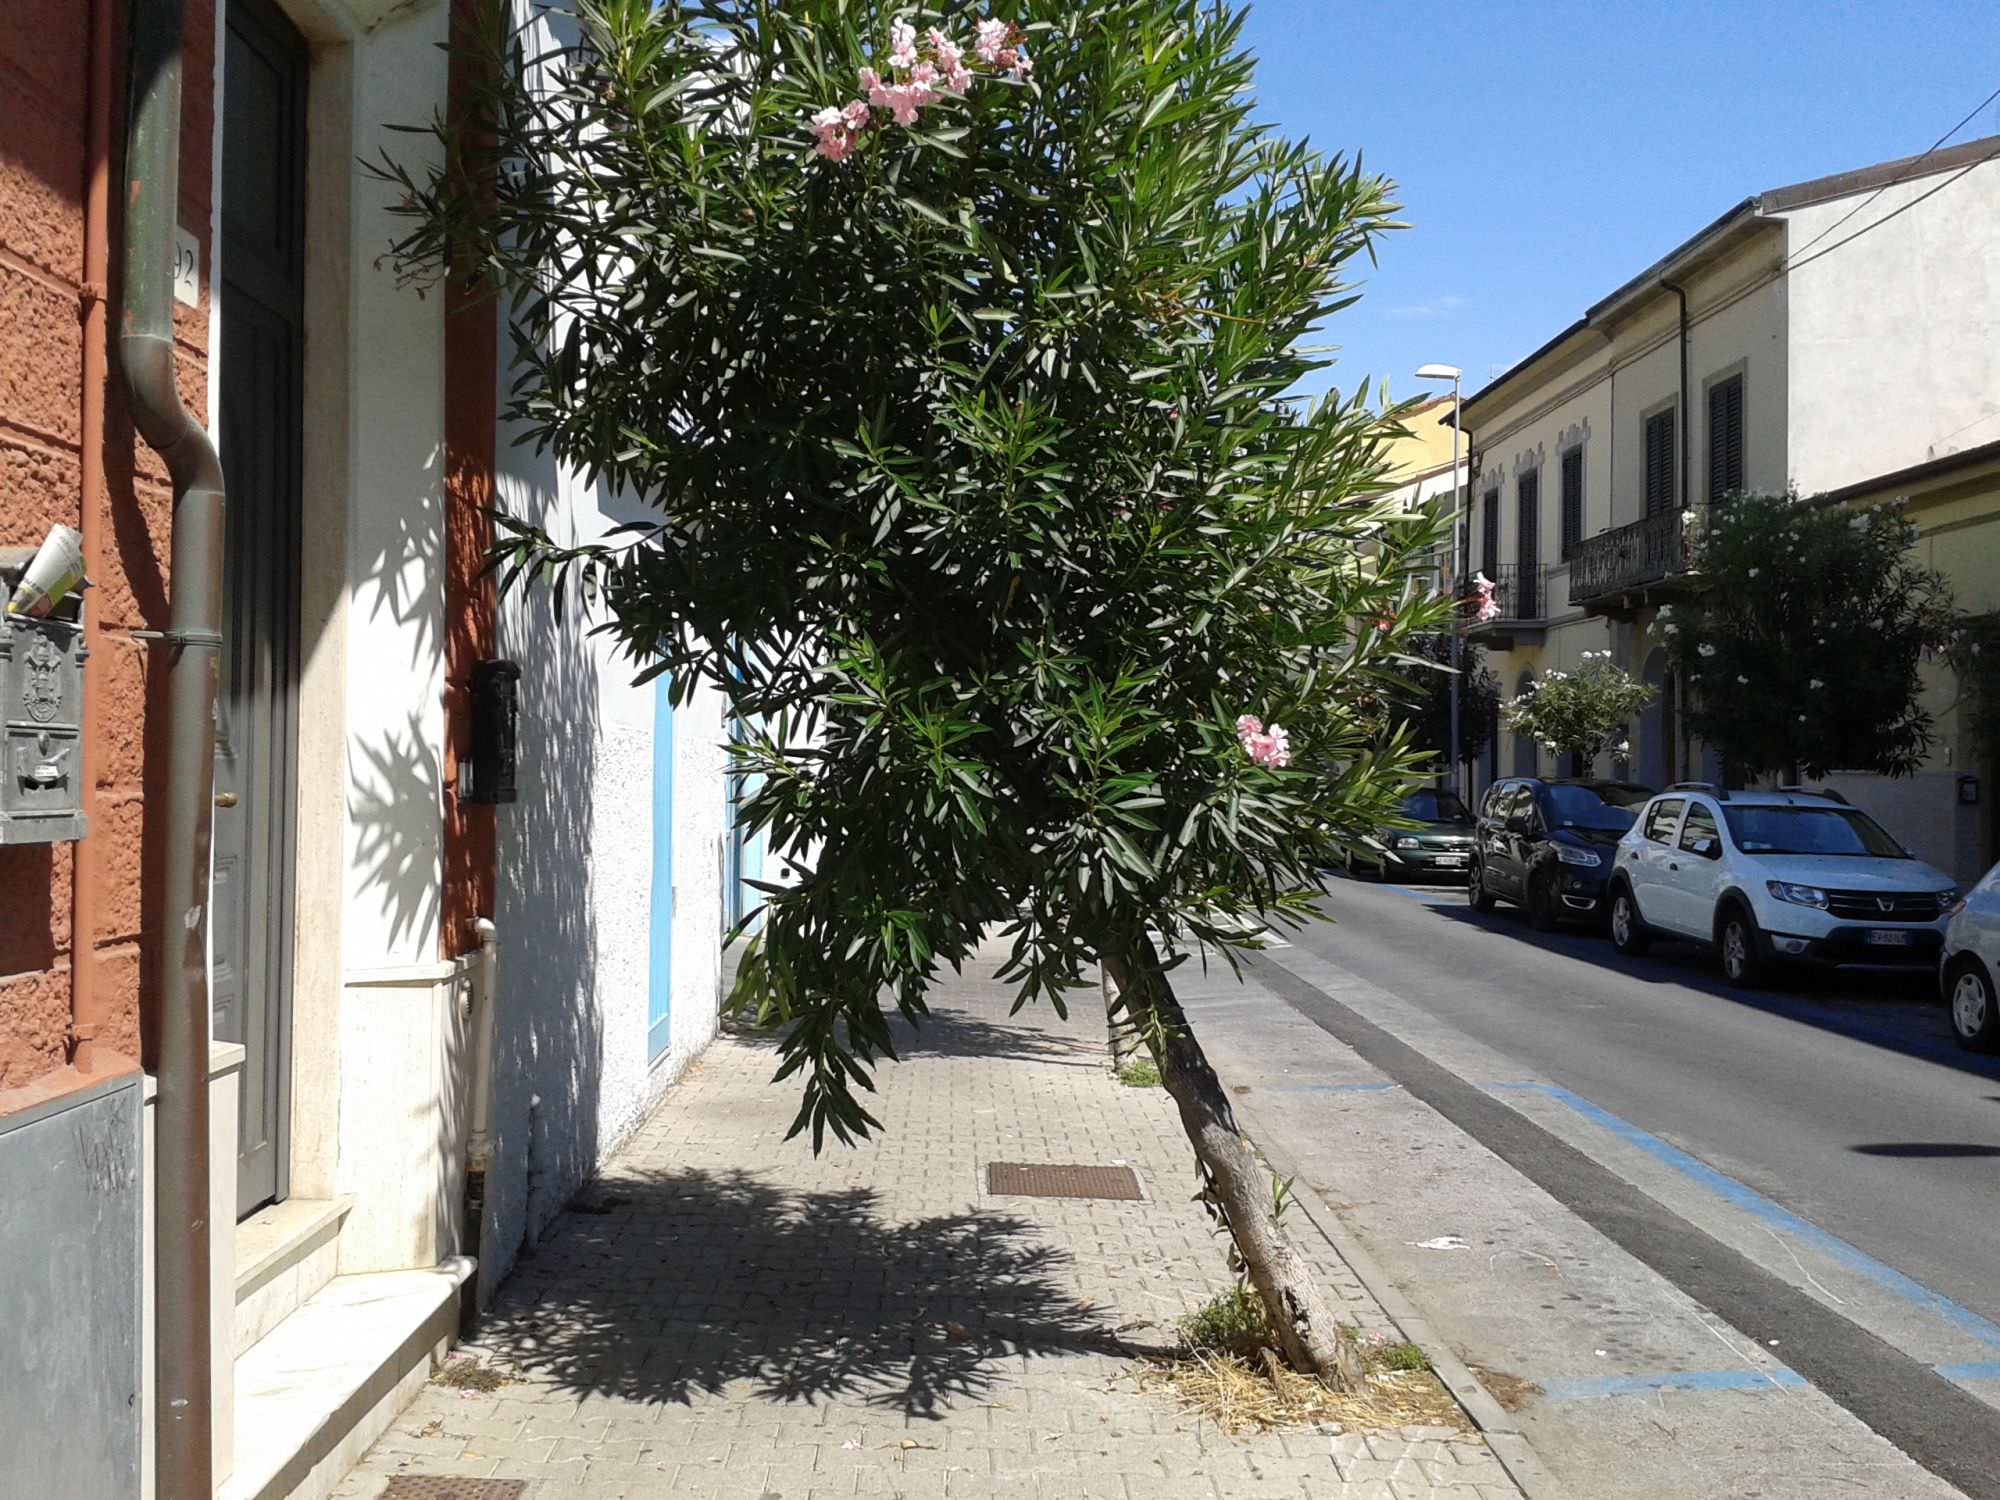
(687, 1283)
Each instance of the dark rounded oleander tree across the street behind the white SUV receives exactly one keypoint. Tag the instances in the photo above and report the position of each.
(1803, 651)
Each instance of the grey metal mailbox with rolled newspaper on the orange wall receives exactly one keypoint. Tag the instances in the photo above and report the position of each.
(43, 713)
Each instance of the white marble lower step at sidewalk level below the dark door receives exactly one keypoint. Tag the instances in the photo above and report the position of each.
(329, 1381)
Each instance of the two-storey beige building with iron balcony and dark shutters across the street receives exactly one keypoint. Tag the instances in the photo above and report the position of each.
(1833, 335)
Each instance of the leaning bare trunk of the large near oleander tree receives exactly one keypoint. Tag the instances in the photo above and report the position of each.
(1299, 1317)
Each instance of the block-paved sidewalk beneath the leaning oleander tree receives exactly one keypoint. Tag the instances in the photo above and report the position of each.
(741, 1321)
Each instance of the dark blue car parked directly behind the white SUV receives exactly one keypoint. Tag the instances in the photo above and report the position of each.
(1547, 847)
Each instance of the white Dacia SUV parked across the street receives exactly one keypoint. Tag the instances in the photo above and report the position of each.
(1775, 877)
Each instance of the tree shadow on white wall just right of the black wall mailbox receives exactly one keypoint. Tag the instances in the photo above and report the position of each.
(549, 1045)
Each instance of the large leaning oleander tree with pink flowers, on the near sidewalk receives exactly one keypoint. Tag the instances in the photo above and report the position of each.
(951, 349)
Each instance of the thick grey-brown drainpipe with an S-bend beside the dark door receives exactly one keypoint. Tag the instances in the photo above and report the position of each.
(191, 649)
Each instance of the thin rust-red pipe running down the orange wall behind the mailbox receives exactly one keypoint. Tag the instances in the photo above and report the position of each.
(87, 1007)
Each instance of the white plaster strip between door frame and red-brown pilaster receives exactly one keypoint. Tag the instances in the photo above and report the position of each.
(395, 617)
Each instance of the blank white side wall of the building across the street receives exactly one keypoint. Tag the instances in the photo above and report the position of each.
(1897, 335)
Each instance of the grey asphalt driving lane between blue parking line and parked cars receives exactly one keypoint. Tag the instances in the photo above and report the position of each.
(1845, 1101)
